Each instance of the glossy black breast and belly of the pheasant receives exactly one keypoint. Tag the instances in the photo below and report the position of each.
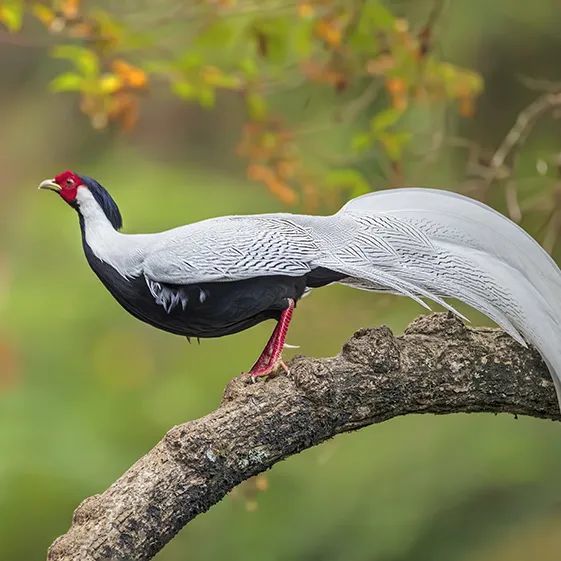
(226, 308)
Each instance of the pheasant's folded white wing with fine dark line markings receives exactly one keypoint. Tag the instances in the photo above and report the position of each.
(233, 248)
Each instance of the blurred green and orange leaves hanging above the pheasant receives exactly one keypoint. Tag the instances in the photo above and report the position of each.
(378, 65)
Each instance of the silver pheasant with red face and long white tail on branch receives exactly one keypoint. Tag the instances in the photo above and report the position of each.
(223, 275)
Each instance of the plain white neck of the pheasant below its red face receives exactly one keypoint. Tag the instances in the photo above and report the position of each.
(125, 253)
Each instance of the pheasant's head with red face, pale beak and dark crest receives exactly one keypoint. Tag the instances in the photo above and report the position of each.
(79, 191)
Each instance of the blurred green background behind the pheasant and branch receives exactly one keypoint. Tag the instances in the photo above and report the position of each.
(85, 389)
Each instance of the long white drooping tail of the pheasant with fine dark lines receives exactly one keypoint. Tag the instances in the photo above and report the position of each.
(438, 244)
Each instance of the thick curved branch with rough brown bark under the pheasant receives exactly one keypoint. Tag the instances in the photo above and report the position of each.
(437, 366)
